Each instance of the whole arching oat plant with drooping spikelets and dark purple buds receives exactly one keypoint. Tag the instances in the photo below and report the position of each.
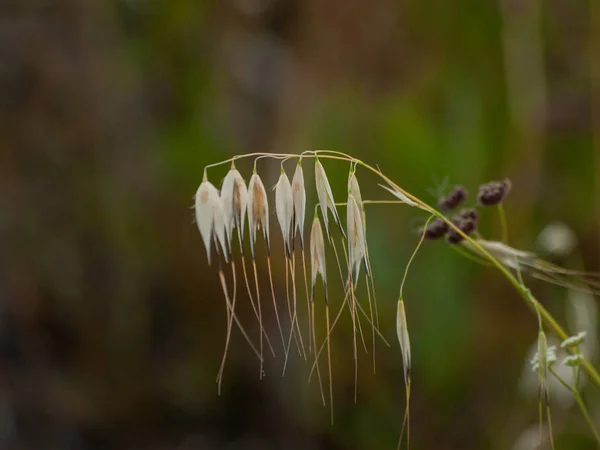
(451, 221)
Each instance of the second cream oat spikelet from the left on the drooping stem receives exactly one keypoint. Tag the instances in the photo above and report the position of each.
(234, 196)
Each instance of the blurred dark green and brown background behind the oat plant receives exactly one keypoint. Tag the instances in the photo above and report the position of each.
(112, 324)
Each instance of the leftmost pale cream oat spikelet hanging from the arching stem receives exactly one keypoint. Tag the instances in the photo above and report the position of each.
(210, 217)
